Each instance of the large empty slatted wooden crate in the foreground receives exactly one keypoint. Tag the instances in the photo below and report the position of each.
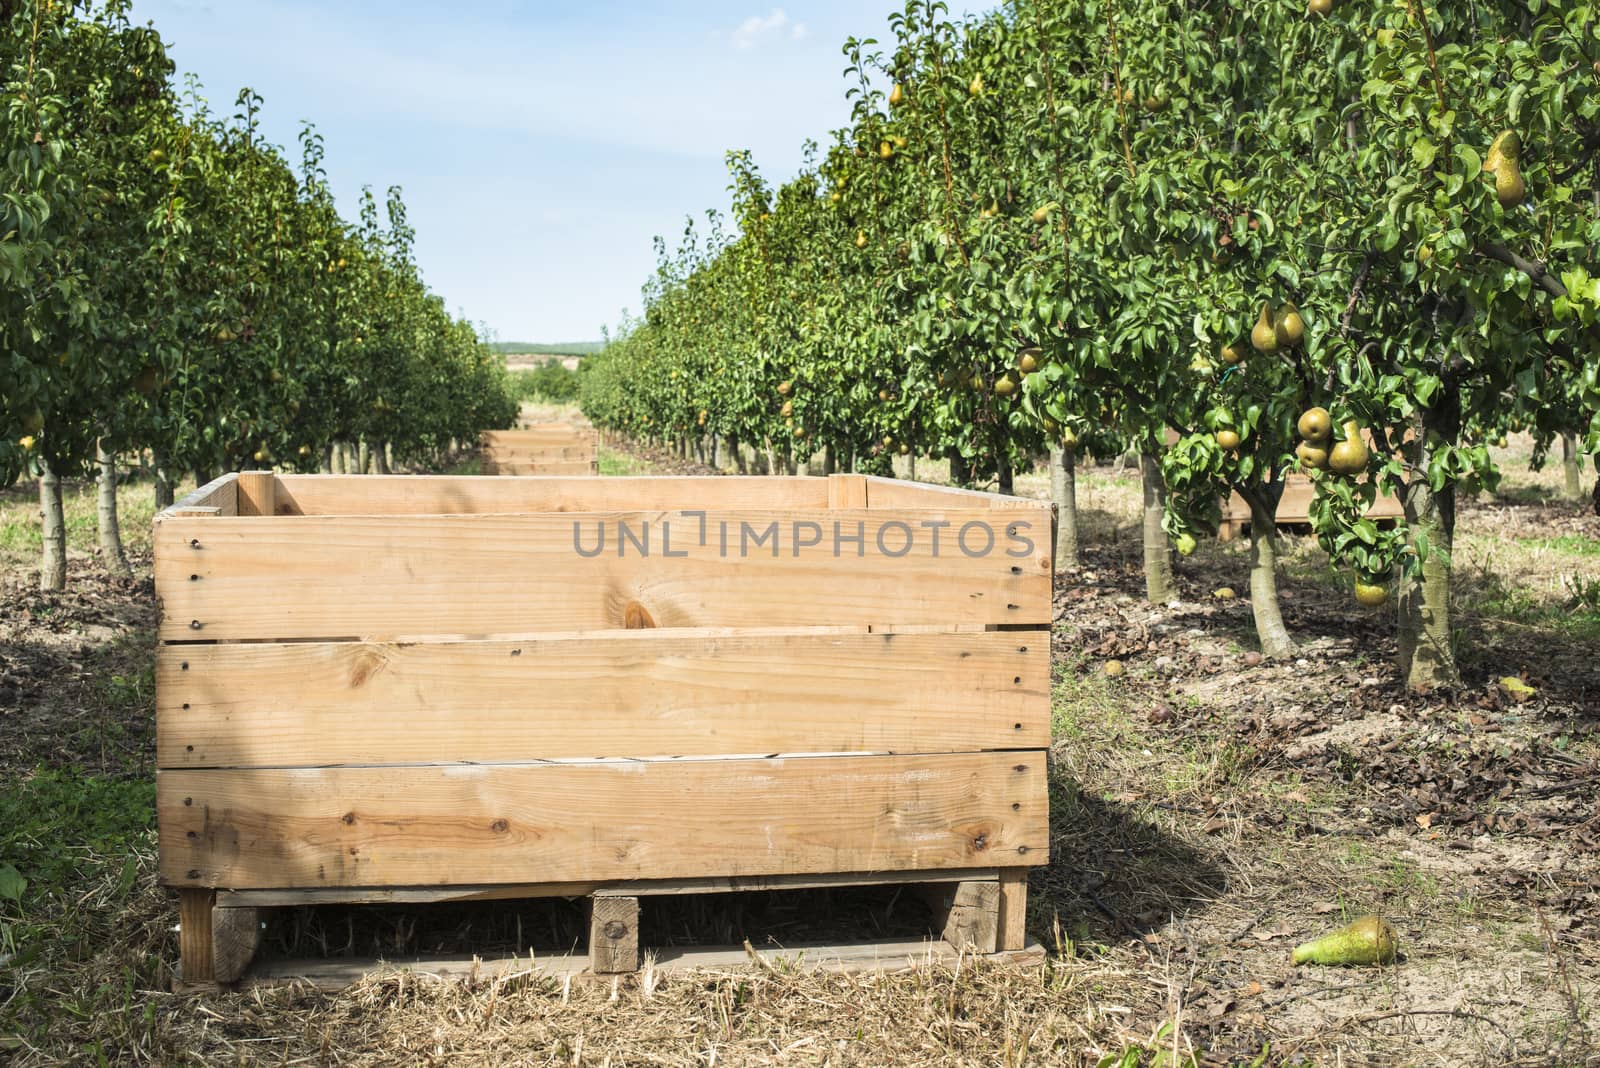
(462, 688)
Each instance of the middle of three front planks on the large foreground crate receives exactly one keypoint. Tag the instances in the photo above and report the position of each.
(638, 693)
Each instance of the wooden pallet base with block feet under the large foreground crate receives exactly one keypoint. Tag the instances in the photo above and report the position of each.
(978, 914)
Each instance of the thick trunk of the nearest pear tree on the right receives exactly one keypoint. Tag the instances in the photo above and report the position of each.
(1428, 658)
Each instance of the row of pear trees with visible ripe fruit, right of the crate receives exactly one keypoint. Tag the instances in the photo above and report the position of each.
(1354, 241)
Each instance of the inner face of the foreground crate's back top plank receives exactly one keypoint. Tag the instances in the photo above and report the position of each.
(457, 495)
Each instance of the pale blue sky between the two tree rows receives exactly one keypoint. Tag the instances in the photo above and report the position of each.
(540, 145)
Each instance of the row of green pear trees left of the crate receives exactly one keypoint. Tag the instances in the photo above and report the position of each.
(172, 284)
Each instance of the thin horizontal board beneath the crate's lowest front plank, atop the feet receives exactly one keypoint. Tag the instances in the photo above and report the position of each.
(628, 888)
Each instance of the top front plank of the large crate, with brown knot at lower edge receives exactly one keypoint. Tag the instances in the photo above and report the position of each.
(386, 578)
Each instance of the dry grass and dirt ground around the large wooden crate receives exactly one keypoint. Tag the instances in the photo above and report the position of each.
(1210, 810)
